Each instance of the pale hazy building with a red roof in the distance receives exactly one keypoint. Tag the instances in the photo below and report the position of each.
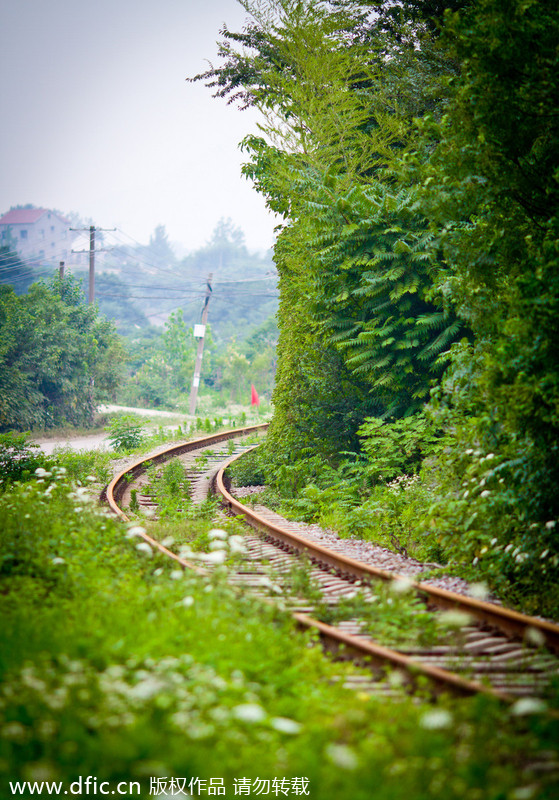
(37, 234)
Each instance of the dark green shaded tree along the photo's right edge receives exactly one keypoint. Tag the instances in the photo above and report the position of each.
(491, 190)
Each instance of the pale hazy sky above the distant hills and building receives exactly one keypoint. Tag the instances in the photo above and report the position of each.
(97, 117)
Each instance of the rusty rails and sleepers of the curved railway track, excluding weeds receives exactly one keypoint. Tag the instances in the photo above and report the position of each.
(492, 653)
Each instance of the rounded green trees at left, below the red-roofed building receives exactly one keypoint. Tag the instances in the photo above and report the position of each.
(58, 358)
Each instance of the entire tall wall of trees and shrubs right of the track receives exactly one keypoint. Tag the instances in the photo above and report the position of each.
(413, 156)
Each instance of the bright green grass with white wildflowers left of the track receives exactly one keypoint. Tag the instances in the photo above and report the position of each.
(116, 664)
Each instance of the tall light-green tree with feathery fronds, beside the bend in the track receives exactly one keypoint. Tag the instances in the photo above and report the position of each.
(356, 272)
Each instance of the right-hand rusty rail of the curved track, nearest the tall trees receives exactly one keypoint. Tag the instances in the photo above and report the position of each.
(510, 622)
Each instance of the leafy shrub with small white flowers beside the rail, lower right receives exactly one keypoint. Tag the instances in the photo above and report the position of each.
(475, 518)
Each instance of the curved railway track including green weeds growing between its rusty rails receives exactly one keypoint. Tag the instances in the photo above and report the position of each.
(409, 633)
